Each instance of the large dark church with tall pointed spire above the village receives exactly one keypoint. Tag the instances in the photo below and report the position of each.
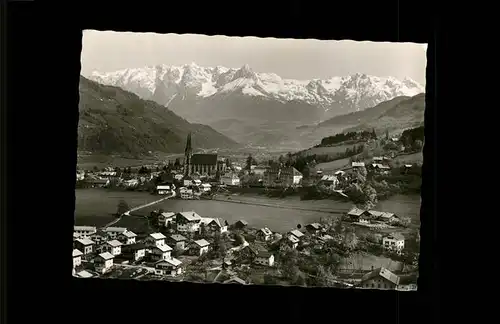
(201, 163)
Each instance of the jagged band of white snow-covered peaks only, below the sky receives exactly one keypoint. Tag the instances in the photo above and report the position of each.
(358, 91)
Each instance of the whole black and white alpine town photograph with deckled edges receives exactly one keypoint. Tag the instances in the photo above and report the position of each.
(249, 161)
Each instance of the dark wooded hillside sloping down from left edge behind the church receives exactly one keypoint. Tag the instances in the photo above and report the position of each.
(113, 120)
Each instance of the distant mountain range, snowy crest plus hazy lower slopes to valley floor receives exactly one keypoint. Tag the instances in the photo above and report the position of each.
(256, 109)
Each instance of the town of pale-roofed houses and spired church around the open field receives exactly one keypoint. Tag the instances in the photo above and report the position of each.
(183, 245)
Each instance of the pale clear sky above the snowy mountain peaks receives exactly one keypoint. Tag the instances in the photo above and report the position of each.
(303, 59)
